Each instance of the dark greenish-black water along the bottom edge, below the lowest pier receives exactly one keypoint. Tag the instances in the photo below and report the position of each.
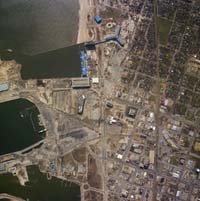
(39, 188)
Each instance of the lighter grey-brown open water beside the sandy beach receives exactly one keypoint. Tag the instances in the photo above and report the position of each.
(36, 26)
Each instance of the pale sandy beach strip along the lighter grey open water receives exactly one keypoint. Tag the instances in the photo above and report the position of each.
(85, 6)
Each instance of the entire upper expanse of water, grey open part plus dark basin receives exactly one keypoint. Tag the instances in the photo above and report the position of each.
(45, 31)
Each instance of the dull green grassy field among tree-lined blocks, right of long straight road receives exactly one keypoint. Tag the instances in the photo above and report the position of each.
(163, 30)
